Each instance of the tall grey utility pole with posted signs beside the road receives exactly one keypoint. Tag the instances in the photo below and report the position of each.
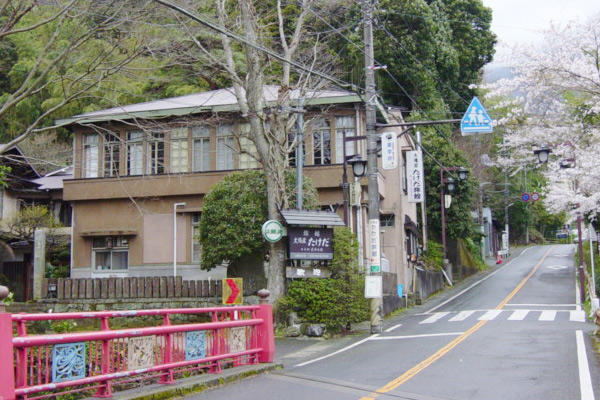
(374, 235)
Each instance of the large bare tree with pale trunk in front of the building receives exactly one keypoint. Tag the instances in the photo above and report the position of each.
(256, 39)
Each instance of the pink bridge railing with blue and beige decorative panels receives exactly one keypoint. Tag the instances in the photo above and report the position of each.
(51, 364)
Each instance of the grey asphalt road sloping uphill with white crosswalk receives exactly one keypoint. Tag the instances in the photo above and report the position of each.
(515, 332)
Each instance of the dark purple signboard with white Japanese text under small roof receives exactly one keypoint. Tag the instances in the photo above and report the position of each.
(310, 243)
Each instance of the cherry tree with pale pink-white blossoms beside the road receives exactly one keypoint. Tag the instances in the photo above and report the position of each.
(554, 100)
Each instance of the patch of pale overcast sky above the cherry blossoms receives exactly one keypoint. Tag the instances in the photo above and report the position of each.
(517, 21)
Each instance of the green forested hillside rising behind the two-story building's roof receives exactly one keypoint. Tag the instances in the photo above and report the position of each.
(63, 57)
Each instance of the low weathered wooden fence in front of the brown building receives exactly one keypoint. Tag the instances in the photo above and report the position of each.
(129, 288)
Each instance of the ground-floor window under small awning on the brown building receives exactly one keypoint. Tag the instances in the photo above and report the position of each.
(110, 253)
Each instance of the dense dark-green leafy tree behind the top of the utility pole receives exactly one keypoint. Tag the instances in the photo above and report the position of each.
(434, 49)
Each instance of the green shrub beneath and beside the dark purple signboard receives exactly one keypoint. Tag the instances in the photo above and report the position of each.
(337, 301)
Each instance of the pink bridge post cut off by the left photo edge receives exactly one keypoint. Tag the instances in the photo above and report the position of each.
(7, 378)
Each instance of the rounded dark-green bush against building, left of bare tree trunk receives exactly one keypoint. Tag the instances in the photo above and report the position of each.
(233, 213)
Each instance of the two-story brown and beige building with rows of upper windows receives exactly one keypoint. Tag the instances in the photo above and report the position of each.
(135, 164)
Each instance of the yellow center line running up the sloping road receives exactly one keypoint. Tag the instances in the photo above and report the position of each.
(444, 350)
